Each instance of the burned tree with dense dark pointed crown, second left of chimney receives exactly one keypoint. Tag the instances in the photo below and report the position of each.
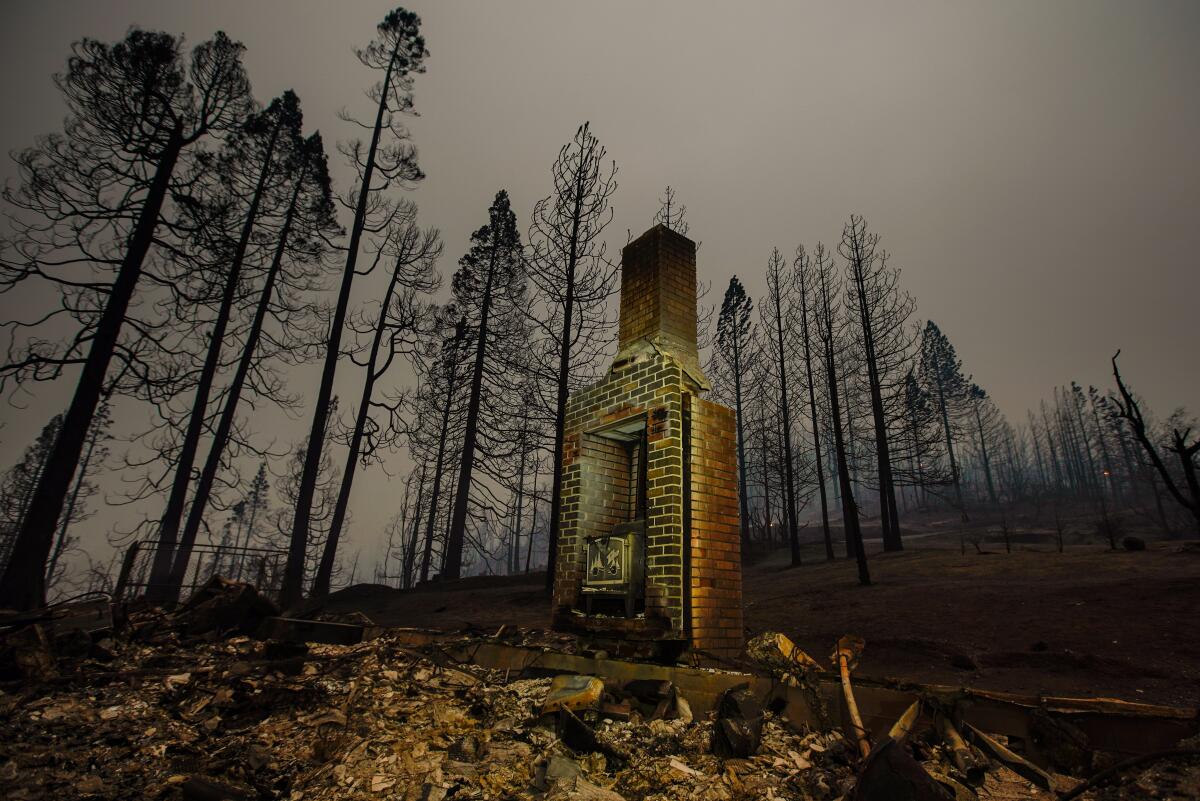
(490, 284)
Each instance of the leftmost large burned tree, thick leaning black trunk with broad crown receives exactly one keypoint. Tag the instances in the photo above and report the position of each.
(136, 109)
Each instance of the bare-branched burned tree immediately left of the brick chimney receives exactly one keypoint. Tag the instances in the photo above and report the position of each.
(574, 281)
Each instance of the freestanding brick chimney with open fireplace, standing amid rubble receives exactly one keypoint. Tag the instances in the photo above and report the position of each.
(649, 544)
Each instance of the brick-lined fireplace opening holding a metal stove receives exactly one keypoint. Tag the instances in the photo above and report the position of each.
(615, 550)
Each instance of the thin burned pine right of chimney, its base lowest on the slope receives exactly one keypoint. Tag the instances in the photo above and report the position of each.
(831, 334)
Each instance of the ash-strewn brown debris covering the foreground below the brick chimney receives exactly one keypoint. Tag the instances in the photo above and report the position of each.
(178, 709)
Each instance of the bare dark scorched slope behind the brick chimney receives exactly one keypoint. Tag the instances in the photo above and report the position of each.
(1090, 622)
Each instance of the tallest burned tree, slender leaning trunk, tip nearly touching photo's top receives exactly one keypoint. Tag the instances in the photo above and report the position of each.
(399, 52)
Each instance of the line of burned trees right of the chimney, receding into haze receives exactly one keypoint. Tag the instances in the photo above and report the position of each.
(862, 413)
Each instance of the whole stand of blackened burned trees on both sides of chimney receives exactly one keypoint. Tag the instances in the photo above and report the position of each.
(178, 249)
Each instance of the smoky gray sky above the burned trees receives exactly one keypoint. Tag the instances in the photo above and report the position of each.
(1034, 167)
